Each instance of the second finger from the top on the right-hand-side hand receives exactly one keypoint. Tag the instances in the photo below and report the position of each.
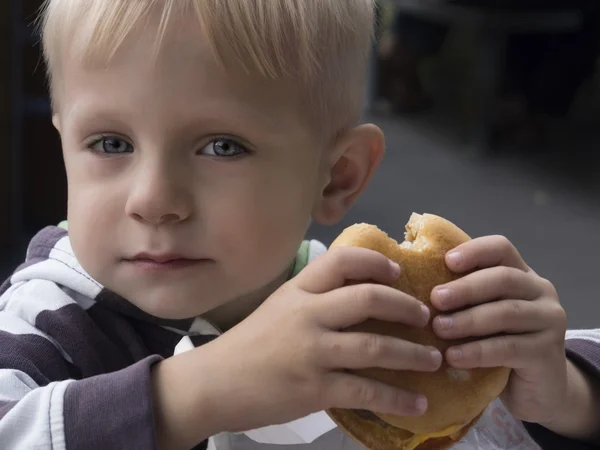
(485, 286)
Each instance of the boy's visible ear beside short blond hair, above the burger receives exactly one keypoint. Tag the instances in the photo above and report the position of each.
(351, 163)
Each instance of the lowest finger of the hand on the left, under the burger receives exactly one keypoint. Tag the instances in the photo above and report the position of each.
(350, 391)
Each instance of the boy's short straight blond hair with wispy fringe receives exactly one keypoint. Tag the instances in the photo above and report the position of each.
(323, 45)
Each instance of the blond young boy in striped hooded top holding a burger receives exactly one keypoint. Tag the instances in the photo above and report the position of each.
(200, 137)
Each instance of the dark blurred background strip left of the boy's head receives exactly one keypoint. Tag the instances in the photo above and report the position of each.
(32, 177)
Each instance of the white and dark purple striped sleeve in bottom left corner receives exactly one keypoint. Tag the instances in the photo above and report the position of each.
(43, 404)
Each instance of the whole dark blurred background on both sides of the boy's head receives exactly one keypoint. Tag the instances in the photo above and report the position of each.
(491, 111)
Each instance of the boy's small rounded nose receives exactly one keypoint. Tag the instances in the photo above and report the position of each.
(159, 195)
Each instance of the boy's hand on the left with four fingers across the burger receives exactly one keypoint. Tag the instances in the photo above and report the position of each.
(290, 358)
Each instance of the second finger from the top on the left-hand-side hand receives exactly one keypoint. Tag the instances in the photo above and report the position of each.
(351, 305)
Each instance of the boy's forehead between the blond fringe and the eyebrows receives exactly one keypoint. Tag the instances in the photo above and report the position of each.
(183, 78)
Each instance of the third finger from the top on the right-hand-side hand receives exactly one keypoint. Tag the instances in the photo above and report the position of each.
(505, 316)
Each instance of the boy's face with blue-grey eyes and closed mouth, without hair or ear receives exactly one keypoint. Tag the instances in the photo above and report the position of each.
(188, 187)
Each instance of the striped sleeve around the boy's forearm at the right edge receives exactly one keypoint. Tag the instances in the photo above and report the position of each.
(583, 349)
